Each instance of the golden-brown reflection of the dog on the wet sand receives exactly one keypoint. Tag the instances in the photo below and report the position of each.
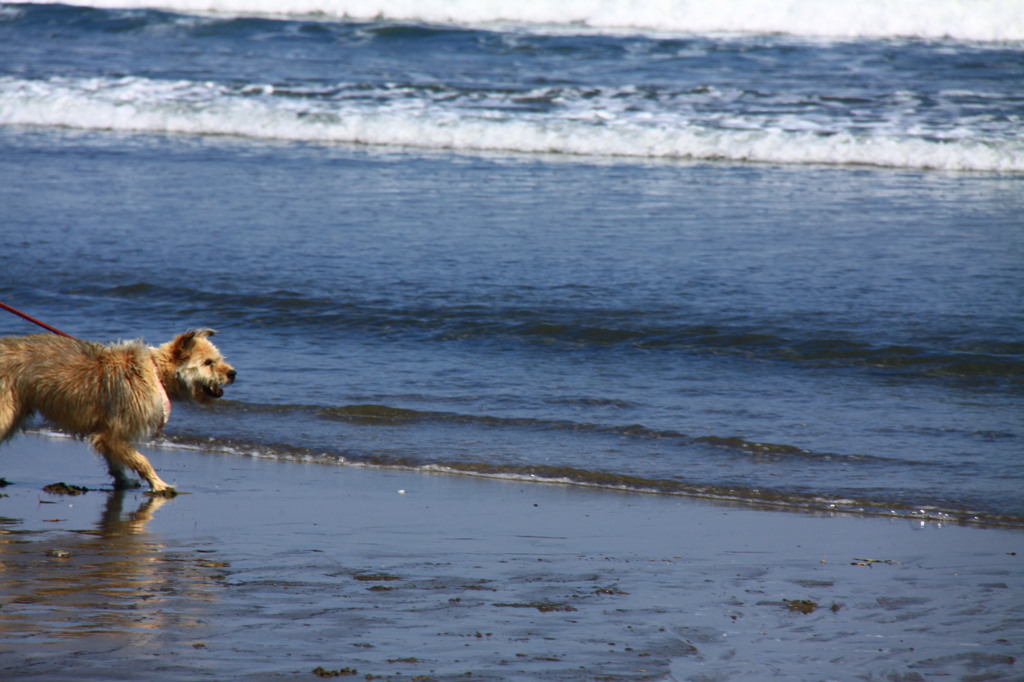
(109, 585)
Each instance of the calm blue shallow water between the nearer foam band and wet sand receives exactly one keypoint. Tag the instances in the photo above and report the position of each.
(838, 337)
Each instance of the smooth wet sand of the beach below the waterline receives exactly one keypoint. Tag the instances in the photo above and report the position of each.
(272, 570)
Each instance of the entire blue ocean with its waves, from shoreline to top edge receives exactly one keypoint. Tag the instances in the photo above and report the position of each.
(715, 250)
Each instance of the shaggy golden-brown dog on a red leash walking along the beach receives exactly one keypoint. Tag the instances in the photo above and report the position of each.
(113, 395)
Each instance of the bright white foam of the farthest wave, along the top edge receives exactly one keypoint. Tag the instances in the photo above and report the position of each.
(962, 20)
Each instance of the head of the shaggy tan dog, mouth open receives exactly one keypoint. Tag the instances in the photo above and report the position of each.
(198, 369)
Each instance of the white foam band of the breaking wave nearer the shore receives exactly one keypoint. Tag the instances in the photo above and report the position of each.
(209, 109)
